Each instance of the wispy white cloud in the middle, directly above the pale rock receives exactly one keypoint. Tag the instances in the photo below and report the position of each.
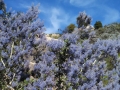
(58, 18)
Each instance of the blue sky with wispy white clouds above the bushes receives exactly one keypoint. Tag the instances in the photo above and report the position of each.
(57, 14)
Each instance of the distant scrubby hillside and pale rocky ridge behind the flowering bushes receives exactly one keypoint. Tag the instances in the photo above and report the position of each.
(110, 31)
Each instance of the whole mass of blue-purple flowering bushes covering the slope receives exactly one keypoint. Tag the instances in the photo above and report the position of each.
(29, 62)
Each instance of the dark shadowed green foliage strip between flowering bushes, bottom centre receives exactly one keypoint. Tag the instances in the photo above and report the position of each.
(60, 76)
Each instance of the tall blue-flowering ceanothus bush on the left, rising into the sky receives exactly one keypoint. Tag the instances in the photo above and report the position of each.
(21, 37)
